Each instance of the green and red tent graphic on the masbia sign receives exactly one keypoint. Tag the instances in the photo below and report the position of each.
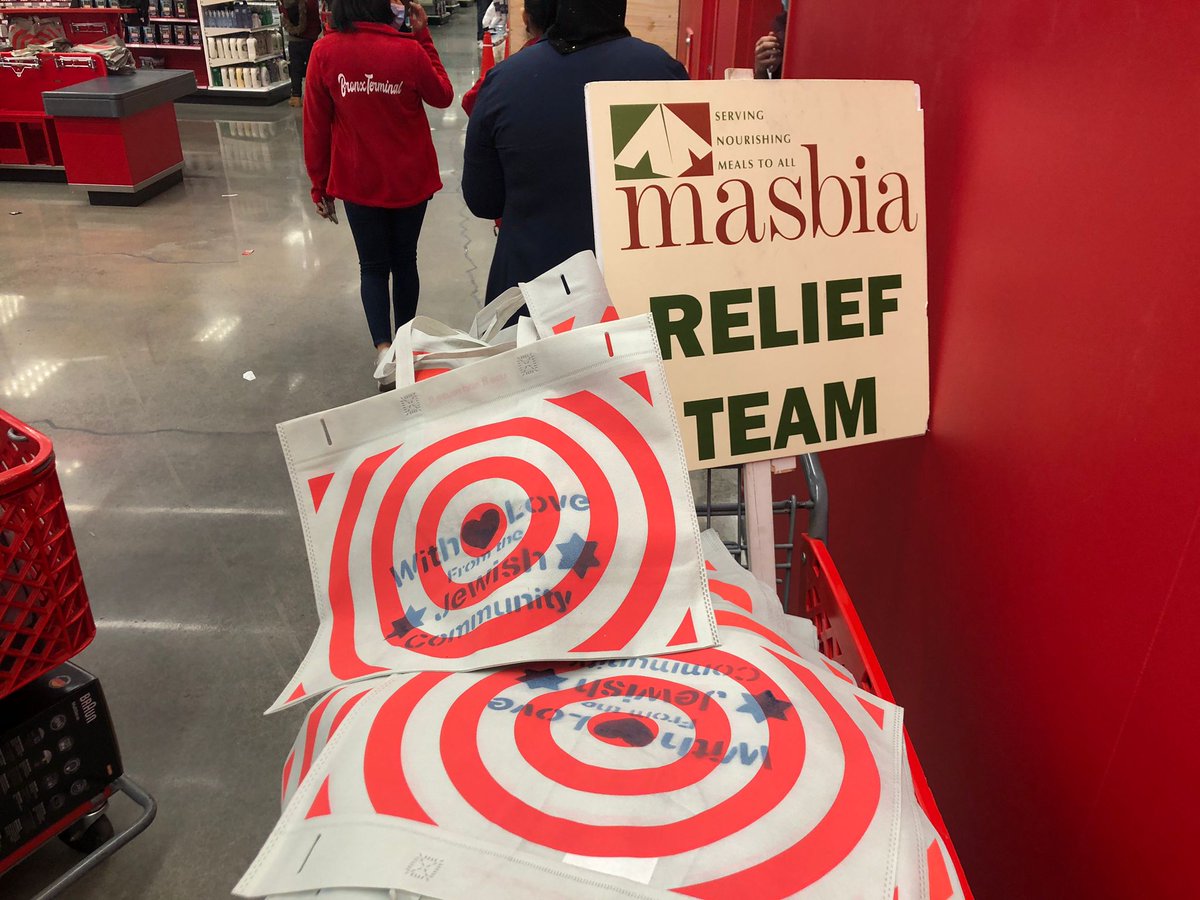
(662, 141)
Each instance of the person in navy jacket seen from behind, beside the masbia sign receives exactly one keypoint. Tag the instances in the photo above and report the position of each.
(526, 159)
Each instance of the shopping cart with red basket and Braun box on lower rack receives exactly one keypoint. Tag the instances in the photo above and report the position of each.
(45, 621)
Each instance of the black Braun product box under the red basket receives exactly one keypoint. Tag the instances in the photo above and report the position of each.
(58, 751)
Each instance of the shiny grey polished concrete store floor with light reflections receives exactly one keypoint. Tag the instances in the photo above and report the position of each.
(124, 335)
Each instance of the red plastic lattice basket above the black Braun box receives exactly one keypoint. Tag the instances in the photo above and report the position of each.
(45, 619)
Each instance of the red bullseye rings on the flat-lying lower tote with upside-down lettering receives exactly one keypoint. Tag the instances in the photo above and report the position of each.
(710, 821)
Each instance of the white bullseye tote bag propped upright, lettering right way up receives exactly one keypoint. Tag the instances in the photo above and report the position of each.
(532, 506)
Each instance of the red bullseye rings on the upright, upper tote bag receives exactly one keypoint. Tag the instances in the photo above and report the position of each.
(440, 597)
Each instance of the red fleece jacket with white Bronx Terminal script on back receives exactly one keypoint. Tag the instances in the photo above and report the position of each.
(367, 139)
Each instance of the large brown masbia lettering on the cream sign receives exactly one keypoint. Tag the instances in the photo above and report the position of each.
(694, 213)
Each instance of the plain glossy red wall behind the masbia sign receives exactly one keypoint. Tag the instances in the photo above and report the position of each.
(1030, 571)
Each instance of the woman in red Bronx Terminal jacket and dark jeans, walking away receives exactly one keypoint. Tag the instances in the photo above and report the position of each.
(367, 142)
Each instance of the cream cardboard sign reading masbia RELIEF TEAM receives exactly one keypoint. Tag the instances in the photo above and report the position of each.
(777, 233)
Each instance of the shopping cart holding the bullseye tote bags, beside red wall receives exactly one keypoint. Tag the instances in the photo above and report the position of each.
(825, 599)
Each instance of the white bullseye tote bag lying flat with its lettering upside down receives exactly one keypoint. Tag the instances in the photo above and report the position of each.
(734, 772)
